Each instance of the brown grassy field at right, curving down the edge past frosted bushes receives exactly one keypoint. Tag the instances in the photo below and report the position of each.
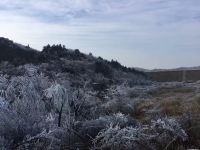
(175, 100)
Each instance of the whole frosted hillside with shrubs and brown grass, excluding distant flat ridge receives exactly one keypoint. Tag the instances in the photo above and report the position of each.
(61, 99)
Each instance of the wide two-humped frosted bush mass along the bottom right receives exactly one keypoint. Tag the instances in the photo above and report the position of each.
(159, 135)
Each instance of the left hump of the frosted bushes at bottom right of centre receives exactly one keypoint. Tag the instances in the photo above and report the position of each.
(126, 138)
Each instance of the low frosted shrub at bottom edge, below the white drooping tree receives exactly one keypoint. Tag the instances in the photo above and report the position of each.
(55, 139)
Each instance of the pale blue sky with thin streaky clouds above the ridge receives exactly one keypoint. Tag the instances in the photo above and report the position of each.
(138, 33)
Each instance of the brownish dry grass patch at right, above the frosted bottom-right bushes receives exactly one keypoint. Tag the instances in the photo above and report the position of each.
(174, 102)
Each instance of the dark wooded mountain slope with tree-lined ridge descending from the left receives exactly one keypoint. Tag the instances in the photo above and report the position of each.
(58, 59)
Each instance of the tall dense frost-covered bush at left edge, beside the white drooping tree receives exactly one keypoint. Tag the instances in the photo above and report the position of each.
(22, 110)
